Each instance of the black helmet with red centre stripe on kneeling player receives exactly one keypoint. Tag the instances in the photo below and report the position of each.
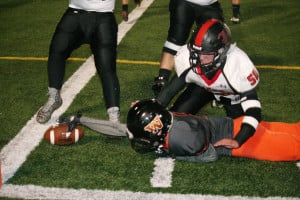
(208, 47)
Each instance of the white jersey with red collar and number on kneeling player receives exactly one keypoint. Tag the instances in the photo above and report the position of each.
(239, 74)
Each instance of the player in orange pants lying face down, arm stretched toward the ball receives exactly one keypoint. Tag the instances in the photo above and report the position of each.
(152, 128)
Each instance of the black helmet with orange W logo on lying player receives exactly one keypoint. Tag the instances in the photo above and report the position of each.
(147, 125)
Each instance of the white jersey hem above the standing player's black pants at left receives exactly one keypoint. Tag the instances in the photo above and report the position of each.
(93, 5)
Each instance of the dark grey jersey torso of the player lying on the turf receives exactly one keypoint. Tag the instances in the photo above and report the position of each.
(191, 135)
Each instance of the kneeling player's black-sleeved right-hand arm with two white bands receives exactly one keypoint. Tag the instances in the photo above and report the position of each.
(252, 116)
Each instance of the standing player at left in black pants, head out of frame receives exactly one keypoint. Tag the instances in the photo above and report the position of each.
(92, 22)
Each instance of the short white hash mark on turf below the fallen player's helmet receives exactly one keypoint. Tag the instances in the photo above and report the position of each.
(162, 174)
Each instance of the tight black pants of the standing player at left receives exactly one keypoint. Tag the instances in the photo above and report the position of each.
(99, 30)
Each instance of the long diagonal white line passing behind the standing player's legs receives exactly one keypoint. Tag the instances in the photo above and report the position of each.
(14, 154)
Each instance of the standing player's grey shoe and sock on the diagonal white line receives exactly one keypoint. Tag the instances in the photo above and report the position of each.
(54, 102)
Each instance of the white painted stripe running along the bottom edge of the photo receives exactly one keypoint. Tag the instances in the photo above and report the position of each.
(38, 192)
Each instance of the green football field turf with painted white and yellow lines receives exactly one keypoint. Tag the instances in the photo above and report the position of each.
(97, 165)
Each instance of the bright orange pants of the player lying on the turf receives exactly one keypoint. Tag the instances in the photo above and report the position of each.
(274, 141)
